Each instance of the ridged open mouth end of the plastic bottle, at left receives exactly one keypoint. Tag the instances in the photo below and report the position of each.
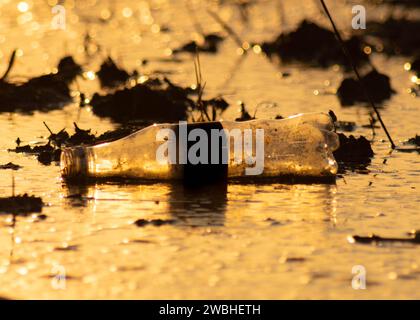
(73, 163)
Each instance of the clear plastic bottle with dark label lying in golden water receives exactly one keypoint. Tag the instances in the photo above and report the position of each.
(299, 146)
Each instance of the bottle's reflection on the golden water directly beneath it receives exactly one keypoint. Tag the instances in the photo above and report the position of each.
(217, 205)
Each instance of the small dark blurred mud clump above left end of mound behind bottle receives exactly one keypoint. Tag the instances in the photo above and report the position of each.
(110, 75)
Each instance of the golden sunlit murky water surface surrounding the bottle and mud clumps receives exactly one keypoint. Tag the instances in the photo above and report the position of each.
(242, 241)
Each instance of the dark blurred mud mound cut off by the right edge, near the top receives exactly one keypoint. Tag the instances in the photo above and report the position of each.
(397, 36)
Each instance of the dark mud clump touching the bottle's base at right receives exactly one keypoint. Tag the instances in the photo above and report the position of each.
(353, 152)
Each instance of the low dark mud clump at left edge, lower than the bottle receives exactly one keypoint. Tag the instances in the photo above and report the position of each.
(22, 205)
